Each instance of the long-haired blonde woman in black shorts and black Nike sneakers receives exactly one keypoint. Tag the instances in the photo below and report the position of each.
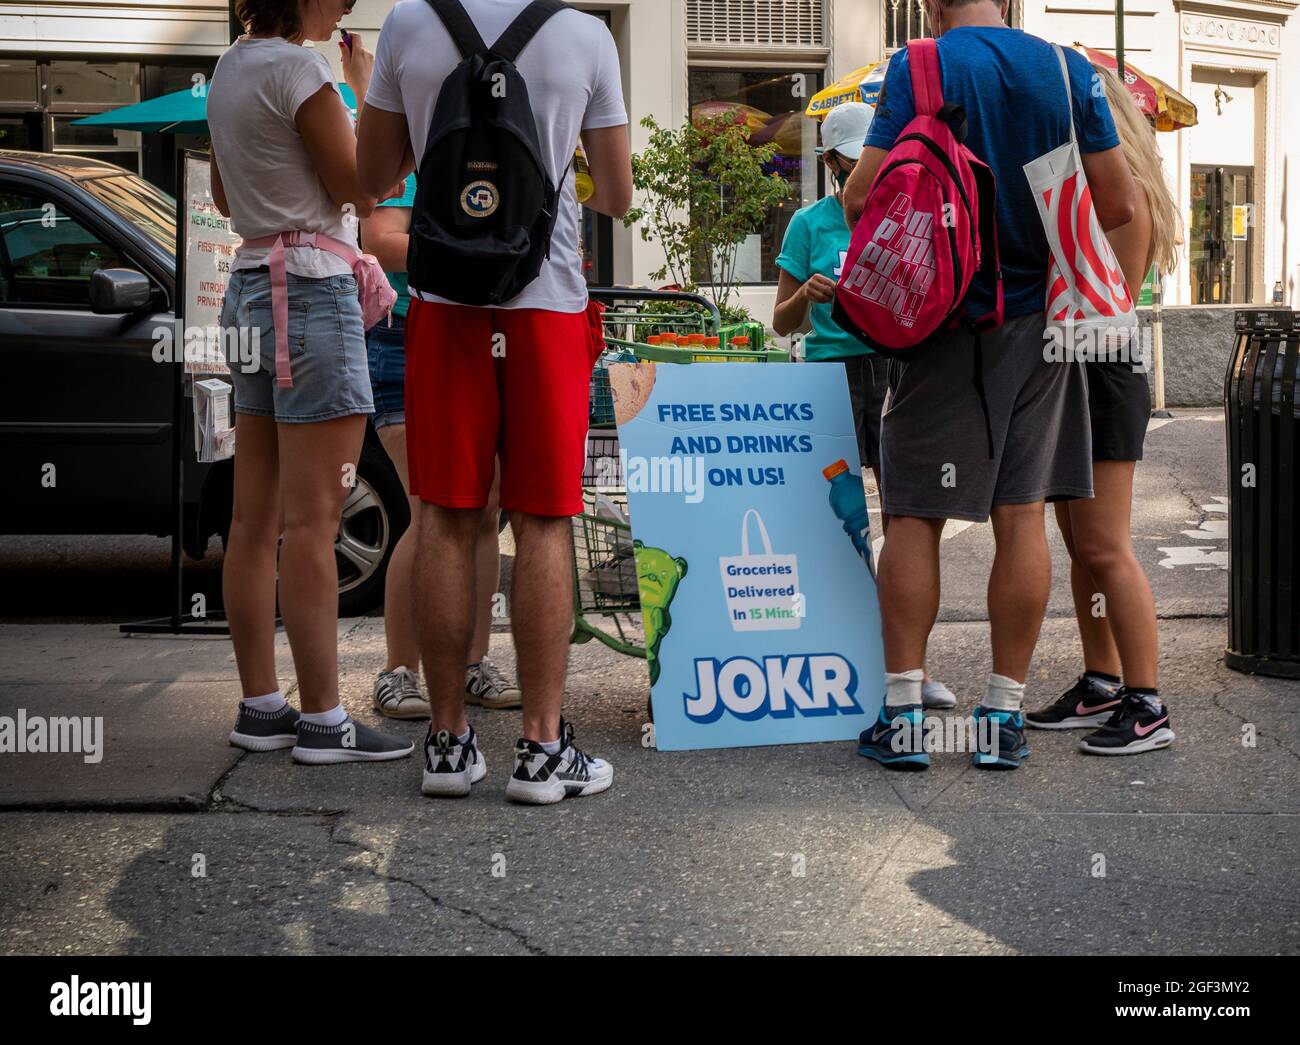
(1119, 688)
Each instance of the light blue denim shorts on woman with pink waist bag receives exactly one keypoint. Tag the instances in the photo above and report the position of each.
(327, 349)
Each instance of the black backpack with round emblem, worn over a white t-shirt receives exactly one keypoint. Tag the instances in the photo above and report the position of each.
(484, 203)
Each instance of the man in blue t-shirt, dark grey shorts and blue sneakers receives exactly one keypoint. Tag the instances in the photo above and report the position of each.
(937, 462)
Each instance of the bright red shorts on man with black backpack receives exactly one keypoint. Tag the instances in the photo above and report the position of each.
(514, 383)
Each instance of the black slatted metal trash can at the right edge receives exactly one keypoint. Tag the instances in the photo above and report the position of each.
(1264, 505)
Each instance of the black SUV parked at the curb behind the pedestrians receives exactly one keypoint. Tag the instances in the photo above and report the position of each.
(85, 411)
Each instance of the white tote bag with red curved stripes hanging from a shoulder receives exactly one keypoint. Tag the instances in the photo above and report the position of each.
(1086, 285)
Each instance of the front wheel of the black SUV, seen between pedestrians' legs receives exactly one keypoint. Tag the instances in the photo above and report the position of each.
(375, 515)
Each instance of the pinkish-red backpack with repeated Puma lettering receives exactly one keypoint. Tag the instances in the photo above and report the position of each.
(929, 227)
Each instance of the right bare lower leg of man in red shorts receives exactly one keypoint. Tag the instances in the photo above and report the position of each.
(541, 618)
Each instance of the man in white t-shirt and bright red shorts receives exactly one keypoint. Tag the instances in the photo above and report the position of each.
(509, 380)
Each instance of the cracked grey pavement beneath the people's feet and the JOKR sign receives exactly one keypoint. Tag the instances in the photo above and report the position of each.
(783, 849)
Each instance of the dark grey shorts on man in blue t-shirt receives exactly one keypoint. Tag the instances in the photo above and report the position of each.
(934, 449)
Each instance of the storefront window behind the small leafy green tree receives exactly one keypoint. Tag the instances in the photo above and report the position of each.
(773, 103)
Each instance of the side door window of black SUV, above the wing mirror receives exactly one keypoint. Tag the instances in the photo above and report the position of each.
(47, 255)
